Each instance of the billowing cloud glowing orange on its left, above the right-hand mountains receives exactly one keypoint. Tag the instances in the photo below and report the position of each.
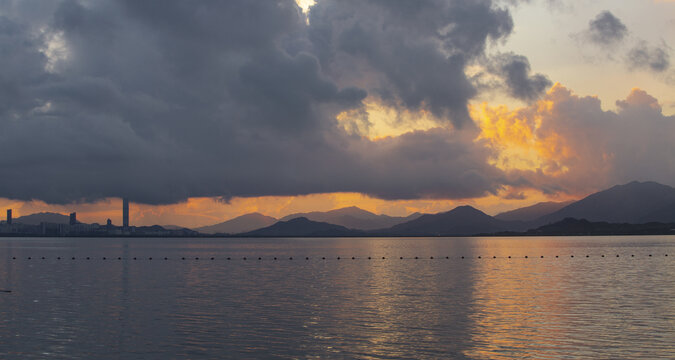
(567, 143)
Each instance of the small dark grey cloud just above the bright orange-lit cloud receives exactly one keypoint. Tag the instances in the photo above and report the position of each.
(515, 70)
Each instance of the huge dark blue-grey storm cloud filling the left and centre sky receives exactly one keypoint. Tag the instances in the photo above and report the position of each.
(164, 100)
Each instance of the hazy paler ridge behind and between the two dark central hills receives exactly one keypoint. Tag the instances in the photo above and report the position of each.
(354, 218)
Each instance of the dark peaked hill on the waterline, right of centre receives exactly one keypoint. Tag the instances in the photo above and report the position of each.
(463, 220)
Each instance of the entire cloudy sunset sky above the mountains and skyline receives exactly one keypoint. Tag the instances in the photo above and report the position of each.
(201, 111)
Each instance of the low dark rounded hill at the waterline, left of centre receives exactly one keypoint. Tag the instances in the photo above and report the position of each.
(303, 227)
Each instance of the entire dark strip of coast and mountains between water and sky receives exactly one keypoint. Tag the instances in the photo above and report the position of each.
(636, 208)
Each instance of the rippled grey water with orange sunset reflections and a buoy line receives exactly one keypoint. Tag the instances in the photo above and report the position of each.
(463, 308)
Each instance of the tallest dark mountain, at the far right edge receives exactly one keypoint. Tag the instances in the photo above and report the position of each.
(635, 202)
